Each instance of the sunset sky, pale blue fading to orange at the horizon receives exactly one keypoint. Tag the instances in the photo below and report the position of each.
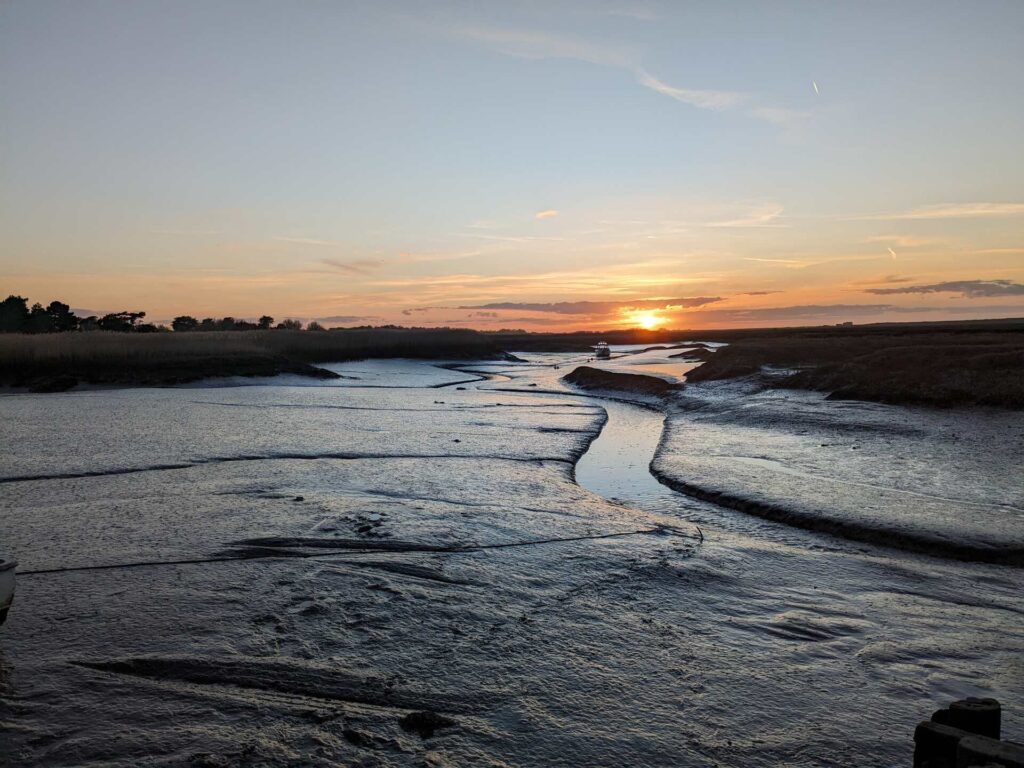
(531, 165)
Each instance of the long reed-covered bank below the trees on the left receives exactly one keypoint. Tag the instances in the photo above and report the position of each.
(57, 362)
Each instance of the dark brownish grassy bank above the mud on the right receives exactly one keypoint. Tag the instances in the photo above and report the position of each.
(945, 369)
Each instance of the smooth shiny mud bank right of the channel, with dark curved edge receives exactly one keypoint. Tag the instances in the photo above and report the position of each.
(936, 483)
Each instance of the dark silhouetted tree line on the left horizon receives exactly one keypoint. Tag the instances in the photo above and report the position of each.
(18, 317)
